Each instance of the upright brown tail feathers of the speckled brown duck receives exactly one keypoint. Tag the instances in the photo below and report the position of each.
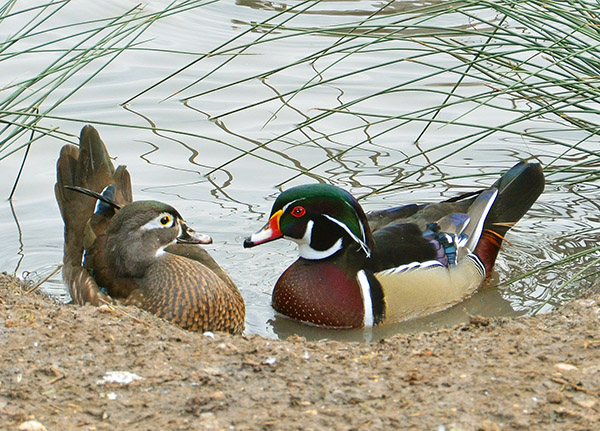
(86, 166)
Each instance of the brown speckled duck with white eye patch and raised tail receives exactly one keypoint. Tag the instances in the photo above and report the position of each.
(140, 253)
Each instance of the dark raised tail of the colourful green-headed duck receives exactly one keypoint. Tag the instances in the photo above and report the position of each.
(517, 189)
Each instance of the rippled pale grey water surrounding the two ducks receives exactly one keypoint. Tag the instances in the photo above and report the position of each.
(221, 139)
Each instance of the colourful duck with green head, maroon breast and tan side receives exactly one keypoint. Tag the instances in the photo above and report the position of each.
(358, 270)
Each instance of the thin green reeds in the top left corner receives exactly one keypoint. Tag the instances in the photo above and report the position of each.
(88, 48)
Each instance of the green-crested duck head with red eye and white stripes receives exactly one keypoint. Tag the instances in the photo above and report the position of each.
(322, 219)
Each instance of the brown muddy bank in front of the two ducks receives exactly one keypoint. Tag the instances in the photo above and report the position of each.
(489, 374)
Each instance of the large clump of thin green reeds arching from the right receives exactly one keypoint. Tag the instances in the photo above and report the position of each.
(526, 61)
